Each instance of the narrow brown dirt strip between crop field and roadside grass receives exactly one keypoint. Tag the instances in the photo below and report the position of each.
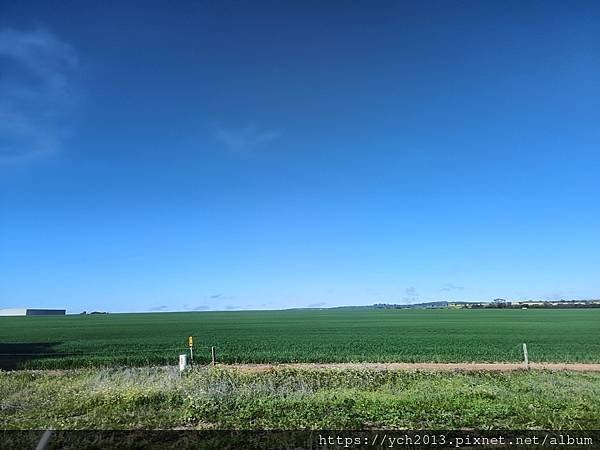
(443, 367)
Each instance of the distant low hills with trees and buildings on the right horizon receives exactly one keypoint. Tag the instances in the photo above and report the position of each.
(497, 303)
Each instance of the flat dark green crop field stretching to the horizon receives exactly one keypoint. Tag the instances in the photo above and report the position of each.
(335, 335)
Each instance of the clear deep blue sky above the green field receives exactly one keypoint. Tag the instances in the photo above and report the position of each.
(250, 155)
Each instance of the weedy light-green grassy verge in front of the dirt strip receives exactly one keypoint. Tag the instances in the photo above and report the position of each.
(133, 398)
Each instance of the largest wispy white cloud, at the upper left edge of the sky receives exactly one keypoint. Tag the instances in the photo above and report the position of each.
(36, 93)
